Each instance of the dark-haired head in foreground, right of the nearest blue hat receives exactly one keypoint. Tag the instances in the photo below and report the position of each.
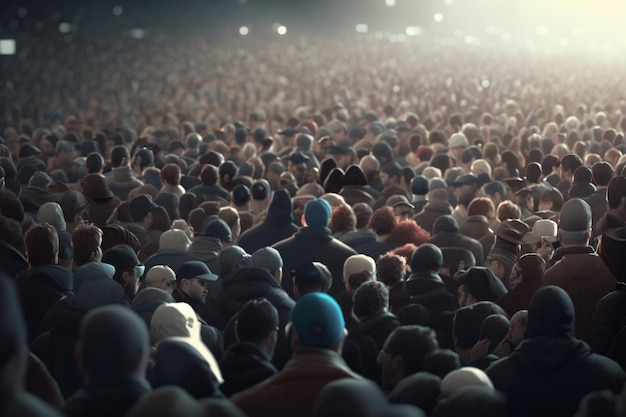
(403, 353)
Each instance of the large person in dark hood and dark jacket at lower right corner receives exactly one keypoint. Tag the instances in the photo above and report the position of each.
(558, 369)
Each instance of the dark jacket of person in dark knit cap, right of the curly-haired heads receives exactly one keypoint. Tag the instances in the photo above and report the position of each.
(424, 288)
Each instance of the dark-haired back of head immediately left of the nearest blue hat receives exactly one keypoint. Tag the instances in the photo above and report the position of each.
(256, 319)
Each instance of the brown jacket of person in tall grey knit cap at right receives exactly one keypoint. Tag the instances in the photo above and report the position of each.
(586, 278)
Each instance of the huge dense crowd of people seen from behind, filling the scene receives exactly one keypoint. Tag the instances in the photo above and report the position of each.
(311, 228)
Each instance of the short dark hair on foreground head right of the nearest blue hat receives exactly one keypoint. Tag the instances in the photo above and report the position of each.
(412, 343)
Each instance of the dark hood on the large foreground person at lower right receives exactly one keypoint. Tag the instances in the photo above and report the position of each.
(550, 314)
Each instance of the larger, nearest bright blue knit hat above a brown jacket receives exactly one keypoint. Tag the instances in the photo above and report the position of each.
(318, 320)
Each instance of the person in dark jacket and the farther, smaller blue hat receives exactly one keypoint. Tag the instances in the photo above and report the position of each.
(315, 243)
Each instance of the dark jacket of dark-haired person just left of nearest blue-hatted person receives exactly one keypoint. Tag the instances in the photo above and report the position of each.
(243, 365)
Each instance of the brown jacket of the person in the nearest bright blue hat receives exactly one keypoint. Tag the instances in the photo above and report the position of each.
(293, 391)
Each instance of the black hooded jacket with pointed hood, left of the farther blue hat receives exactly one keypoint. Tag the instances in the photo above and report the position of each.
(278, 225)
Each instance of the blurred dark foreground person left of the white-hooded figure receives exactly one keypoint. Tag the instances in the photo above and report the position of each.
(113, 355)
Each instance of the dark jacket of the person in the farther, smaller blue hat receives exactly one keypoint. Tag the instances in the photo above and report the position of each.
(314, 244)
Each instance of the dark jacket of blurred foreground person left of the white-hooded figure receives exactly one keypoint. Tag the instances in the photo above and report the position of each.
(106, 398)
